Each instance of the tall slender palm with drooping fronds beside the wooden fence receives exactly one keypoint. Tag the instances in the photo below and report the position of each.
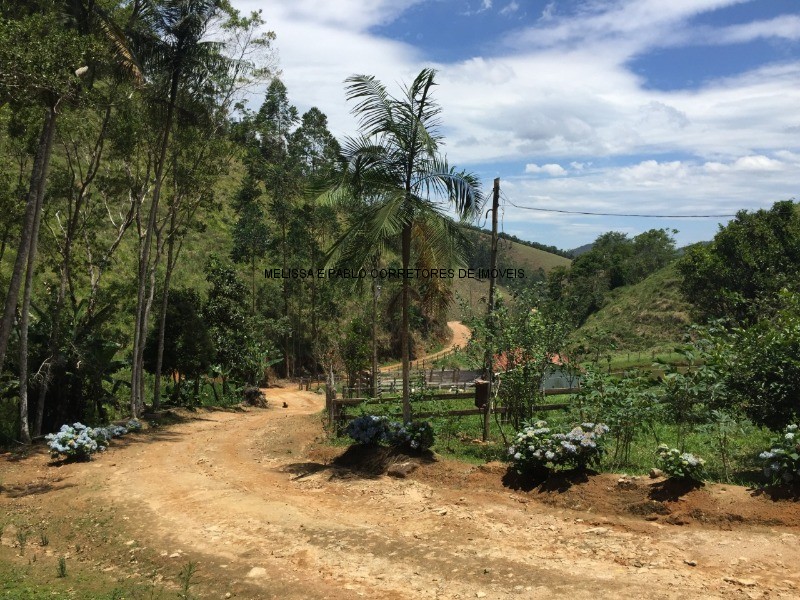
(395, 163)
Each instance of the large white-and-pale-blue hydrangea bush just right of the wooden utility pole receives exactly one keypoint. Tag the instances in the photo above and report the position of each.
(536, 446)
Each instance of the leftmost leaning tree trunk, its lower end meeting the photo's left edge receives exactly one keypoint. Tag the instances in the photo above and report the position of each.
(38, 182)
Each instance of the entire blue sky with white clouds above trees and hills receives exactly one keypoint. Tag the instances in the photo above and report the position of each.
(619, 106)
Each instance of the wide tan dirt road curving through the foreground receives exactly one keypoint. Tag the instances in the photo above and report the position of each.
(265, 519)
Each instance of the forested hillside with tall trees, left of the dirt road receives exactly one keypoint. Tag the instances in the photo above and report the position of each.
(177, 242)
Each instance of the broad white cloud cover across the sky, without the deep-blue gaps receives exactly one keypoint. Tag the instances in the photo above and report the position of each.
(561, 98)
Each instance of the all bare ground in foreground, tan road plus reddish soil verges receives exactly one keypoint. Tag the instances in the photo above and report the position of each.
(268, 510)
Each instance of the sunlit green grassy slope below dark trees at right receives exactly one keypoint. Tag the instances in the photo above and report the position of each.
(645, 316)
